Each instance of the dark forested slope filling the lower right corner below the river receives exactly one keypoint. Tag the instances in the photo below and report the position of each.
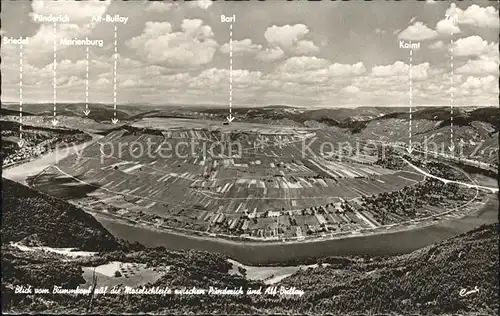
(426, 281)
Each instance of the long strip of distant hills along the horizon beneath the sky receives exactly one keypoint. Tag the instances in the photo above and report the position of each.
(354, 119)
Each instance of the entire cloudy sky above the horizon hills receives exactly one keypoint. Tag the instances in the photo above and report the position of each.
(308, 54)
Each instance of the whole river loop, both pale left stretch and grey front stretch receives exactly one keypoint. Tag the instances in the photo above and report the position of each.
(385, 241)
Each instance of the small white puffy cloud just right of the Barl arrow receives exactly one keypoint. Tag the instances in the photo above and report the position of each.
(289, 38)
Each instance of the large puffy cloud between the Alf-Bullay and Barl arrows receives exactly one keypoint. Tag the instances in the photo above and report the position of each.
(192, 46)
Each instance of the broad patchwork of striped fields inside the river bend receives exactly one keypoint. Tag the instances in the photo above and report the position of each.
(242, 180)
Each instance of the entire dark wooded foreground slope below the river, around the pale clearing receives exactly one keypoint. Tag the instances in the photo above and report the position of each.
(427, 281)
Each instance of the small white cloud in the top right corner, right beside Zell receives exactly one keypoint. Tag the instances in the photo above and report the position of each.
(475, 15)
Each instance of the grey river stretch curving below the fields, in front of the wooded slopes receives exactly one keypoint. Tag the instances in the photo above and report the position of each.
(252, 253)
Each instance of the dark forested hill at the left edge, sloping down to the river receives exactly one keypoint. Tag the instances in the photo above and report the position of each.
(54, 222)
